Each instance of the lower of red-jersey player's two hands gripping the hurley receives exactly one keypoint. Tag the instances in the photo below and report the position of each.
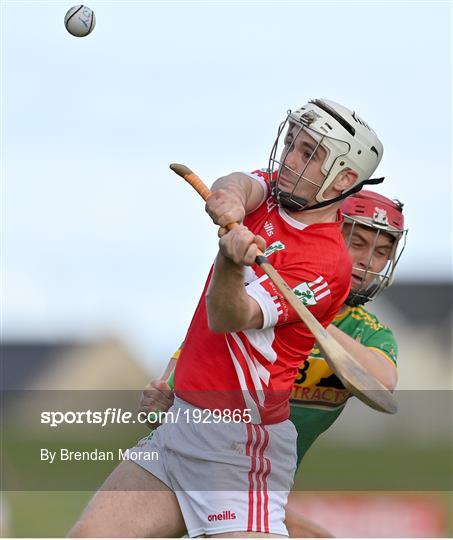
(241, 245)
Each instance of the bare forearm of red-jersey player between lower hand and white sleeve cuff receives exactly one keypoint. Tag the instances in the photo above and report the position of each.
(227, 301)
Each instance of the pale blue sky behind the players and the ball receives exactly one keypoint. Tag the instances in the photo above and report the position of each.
(99, 237)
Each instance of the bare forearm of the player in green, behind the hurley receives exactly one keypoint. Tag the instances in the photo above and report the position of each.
(375, 363)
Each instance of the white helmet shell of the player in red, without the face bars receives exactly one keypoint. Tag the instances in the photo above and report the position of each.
(348, 141)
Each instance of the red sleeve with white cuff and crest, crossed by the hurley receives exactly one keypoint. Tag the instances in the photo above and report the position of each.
(312, 290)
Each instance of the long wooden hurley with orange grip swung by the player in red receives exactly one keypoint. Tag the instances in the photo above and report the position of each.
(354, 377)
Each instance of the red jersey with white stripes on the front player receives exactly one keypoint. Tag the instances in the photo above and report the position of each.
(256, 369)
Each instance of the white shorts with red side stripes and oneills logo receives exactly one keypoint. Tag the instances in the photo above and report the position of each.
(227, 477)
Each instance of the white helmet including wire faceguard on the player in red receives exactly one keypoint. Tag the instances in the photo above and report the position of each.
(345, 141)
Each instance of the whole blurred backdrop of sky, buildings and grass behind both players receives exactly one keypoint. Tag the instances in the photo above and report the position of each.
(104, 251)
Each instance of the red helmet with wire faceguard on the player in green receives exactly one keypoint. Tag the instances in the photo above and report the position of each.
(382, 216)
